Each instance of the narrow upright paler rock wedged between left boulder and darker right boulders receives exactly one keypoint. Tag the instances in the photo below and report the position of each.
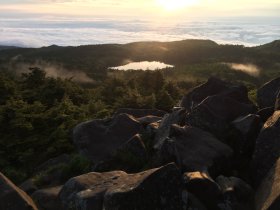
(176, 117)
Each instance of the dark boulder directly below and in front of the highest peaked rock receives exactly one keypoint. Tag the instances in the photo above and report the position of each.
(215, 113)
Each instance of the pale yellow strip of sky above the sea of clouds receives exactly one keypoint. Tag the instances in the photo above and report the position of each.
(140, 8)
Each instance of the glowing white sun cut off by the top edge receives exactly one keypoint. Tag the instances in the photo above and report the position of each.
(171, 5)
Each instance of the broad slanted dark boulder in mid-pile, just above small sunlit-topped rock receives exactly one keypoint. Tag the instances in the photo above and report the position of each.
(195, 150)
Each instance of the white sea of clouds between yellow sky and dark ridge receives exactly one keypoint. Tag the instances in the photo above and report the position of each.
(34, 32)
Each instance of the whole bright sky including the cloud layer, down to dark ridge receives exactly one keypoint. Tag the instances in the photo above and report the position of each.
(36, 23)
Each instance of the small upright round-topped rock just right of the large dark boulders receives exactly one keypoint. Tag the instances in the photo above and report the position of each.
(248, 128)
